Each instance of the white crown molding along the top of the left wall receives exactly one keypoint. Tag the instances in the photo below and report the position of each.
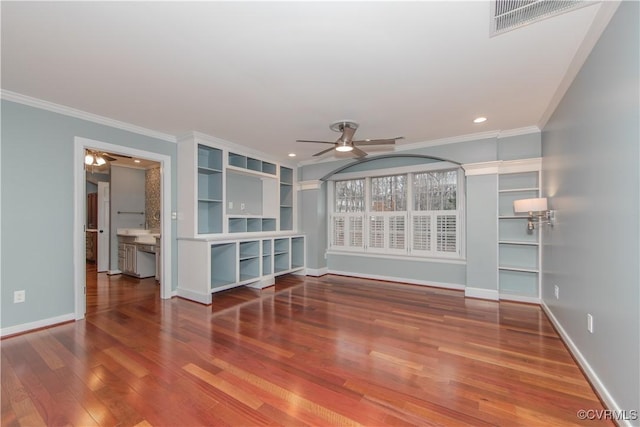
(79, 114)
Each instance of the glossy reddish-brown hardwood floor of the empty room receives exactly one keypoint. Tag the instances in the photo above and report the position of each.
(310, 351)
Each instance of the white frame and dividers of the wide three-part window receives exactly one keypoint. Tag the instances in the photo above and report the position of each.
(409, 215)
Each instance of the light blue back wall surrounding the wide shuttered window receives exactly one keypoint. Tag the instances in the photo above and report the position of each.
(481, 150)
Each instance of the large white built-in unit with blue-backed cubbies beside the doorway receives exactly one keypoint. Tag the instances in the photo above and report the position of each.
(236, 219)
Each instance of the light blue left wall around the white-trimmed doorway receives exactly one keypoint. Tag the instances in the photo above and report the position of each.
(37, 207)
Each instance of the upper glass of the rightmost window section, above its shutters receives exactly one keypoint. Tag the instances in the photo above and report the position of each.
(435, 191)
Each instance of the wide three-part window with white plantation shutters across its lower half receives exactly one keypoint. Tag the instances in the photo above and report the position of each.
(412, 214)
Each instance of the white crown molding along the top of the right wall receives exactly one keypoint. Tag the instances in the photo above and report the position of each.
(605, 12)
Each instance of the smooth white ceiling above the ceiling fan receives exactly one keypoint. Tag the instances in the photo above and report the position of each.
(263, 74)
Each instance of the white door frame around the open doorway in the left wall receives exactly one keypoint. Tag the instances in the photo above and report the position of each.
(79, 217)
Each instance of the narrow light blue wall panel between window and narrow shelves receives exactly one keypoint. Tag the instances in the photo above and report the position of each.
(482, 231)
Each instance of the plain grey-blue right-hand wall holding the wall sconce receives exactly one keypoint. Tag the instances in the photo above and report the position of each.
(591, 155)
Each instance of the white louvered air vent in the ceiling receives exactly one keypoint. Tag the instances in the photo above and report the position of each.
(507, 15)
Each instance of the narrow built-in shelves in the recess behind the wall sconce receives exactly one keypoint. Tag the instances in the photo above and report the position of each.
(519, 248)
